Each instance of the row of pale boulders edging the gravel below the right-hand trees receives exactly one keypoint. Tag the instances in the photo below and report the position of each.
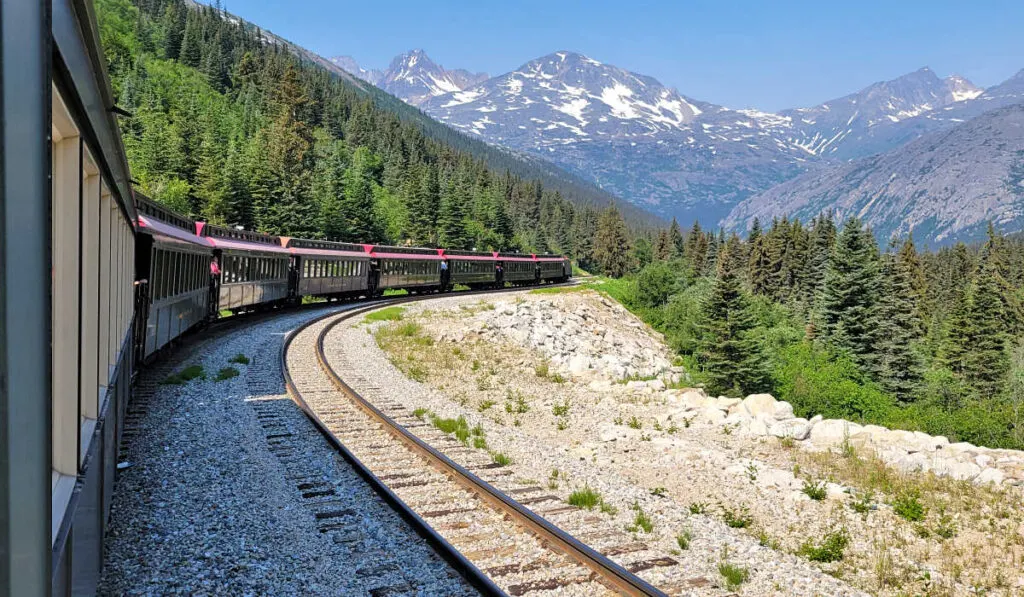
(762, 415)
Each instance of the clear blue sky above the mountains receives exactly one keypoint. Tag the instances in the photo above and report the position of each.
(752, 54)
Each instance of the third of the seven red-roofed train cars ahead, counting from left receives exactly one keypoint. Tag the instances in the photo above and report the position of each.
(328, 270)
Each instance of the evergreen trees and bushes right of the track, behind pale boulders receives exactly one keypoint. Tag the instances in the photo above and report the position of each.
(825, 318)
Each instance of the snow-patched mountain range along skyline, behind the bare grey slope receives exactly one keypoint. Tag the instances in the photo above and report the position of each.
(677, 156)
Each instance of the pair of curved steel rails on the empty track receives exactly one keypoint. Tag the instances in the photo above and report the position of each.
(608, 571)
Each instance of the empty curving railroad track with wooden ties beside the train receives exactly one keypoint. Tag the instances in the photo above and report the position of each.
(496, 542)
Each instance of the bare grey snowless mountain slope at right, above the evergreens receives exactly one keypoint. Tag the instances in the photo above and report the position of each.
(943, 187)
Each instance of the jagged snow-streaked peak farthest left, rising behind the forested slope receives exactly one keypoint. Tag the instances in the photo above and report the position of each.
(413, 77)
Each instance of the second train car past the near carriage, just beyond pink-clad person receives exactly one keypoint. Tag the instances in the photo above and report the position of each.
(253, 268)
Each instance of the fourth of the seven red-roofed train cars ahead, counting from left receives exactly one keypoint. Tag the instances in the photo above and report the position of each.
(406, 269)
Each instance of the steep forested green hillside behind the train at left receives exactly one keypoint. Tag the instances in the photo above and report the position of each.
(230, 127)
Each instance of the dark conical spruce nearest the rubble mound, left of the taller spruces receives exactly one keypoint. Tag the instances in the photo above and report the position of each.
(730, 355)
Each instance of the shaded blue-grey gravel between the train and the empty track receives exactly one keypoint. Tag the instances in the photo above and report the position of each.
(226, 488)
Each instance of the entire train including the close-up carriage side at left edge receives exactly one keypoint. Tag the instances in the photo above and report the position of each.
(99, 280)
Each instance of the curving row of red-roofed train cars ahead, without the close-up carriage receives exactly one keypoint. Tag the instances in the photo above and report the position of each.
(189, 272)
